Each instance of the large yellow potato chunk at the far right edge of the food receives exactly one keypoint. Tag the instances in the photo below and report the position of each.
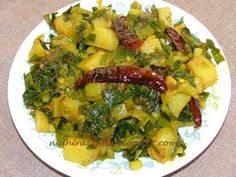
(204, 70)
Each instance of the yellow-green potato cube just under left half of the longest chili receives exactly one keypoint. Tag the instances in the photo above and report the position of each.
(93, 91)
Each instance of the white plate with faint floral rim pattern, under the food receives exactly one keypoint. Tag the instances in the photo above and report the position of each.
(196, 140)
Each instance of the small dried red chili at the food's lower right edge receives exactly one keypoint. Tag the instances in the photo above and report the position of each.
(195, 112)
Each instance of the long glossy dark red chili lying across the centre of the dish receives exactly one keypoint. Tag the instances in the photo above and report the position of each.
(123, 74)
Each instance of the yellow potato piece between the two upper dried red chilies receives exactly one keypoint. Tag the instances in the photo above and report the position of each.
(150, 45)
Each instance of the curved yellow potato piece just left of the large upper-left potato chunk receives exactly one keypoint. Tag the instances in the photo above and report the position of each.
(65, 43)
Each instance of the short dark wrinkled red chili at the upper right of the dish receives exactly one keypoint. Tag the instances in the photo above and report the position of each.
(177, 40)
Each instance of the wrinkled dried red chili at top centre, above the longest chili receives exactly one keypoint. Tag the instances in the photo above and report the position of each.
(127, 39)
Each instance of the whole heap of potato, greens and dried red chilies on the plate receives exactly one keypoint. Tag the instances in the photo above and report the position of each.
(108, 82)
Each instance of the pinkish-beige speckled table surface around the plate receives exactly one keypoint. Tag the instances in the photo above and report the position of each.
(18, 18)
